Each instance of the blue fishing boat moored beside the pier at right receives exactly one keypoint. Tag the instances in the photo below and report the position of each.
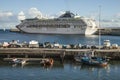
(94, 61)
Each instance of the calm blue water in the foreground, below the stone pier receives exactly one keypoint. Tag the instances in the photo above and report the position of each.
(66, 70)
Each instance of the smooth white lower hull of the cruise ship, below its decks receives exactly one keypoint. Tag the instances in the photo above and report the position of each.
(59, 31)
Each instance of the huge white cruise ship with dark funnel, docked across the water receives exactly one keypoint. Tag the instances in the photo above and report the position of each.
(67, 23)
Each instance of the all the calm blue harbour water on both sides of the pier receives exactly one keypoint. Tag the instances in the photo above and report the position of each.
(68, 70)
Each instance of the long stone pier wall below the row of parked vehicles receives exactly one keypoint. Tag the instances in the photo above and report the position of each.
(56, 53)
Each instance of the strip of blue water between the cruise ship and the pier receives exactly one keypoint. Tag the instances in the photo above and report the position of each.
(62, 39)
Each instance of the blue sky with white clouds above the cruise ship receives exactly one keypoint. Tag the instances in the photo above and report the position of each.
(10, 10)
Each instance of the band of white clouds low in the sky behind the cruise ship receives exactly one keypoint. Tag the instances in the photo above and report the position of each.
(9, 20)
